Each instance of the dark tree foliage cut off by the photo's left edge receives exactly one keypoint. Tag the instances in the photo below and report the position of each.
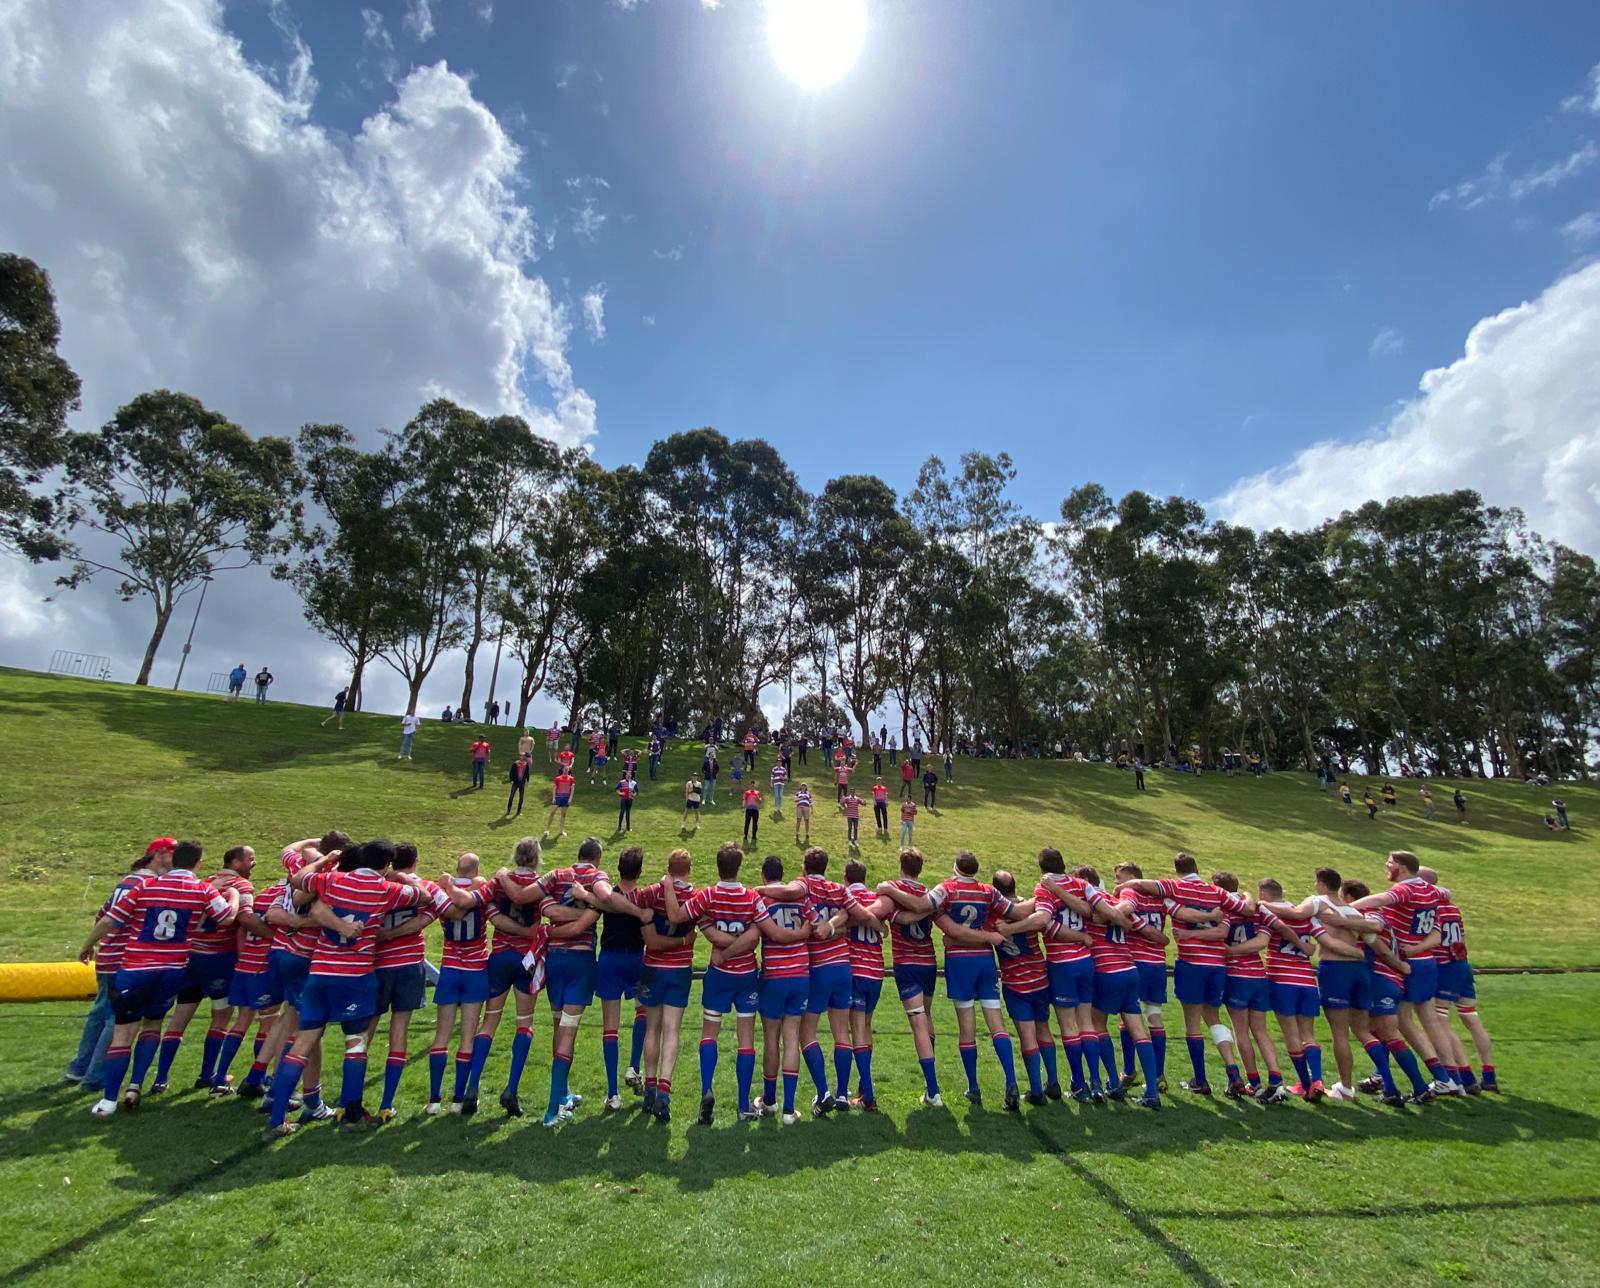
(38, 391)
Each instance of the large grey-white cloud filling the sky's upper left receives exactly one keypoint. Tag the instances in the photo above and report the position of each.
(206, 234)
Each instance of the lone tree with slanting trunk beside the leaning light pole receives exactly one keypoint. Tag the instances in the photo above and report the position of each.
(186, 494)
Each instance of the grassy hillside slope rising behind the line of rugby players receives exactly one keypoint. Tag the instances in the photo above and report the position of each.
(90, 772)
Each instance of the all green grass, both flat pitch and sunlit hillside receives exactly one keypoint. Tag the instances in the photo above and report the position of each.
(1490, 1191)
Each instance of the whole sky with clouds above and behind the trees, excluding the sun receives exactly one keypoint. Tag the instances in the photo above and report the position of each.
(1281, 258)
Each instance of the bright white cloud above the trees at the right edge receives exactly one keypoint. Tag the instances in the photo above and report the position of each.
(1518, 418)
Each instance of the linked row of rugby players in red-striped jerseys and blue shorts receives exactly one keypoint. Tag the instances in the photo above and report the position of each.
(338, 940)
